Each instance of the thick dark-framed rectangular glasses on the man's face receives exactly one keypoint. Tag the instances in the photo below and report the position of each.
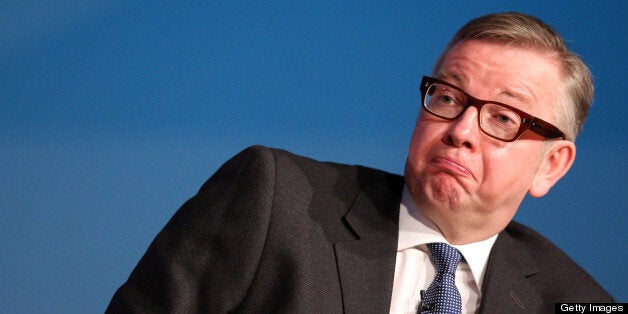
(495, 119)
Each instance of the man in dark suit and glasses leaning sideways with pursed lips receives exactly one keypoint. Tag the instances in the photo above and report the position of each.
(275, 232)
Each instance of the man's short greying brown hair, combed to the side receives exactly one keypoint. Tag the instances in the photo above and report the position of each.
(524, 31)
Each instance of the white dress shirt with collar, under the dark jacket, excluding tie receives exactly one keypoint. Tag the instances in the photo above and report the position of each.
(414, 271)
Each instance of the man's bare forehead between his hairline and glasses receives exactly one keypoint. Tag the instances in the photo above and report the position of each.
(492, 71)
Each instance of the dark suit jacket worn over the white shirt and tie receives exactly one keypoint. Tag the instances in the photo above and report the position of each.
(272, 232)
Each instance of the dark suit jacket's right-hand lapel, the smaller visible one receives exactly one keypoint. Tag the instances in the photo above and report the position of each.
(506, 287)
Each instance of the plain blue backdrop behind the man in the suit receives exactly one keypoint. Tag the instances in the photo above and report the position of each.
(112, 114)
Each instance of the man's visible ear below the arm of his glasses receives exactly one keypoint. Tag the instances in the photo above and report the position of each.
(553, 166)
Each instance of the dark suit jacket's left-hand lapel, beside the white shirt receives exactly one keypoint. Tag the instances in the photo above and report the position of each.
(366, 266)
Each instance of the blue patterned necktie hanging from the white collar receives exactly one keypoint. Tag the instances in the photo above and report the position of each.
(442, 296)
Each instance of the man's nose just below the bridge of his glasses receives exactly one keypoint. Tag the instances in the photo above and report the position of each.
(464, 131)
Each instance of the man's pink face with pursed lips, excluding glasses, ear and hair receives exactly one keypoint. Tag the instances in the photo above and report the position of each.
(462, 179)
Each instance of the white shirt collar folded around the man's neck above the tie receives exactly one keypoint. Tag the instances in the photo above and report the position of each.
(416, 230)
